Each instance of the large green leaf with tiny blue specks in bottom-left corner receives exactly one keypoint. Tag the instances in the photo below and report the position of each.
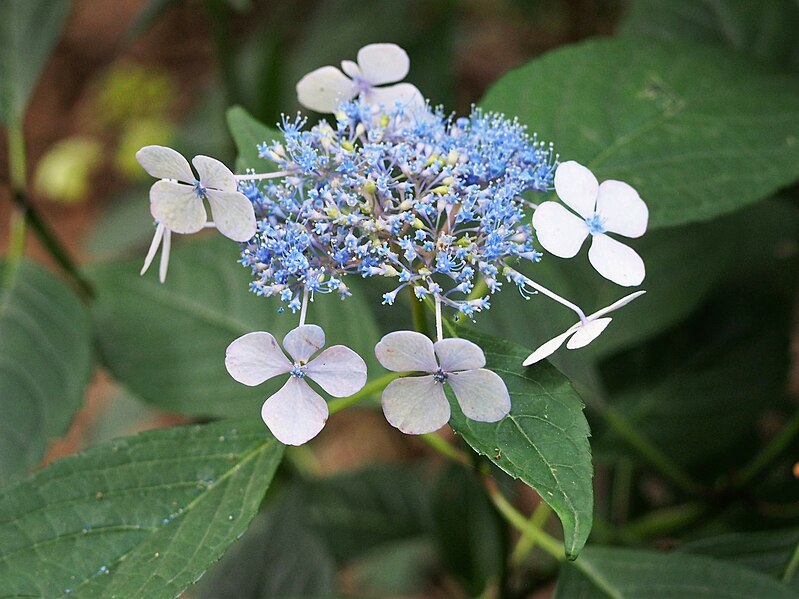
(141, 516)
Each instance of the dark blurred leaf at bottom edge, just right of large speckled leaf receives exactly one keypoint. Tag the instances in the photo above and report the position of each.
(277, 557)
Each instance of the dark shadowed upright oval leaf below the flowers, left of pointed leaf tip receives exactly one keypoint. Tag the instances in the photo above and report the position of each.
(468, 531)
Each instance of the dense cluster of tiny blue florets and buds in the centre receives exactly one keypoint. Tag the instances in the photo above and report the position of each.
(414, 196)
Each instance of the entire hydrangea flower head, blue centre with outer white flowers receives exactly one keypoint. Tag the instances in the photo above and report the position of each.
(391, 187)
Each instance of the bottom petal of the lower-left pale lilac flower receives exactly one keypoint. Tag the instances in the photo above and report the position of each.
(296, 413)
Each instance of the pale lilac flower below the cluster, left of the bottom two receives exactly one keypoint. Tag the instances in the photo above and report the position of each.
(296, 413)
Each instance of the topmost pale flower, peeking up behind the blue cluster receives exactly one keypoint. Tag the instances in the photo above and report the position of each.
(322, 89)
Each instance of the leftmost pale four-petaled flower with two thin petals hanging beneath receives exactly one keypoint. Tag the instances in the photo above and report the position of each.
(176, 201)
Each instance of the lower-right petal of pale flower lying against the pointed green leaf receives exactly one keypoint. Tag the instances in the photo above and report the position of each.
(481, 394)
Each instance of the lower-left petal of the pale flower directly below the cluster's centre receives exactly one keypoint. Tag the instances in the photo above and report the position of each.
(416, 405)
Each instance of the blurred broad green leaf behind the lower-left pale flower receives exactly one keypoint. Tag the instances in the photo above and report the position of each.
(166, 342)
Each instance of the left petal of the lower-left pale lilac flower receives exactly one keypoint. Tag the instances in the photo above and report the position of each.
(254, 358)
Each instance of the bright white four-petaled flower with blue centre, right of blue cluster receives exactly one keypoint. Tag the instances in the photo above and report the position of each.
(612, 207)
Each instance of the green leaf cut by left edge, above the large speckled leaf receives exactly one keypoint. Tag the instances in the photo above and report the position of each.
(45, 363)
